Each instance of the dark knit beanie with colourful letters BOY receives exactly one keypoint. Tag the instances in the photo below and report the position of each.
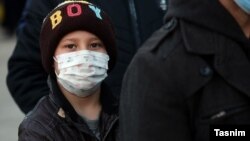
(70, 16)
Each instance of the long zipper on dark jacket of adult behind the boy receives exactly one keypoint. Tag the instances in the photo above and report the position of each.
(134, 22)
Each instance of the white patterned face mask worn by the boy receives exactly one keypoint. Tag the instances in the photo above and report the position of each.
(82, 72)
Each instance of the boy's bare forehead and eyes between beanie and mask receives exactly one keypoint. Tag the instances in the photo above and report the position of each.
(76, 41)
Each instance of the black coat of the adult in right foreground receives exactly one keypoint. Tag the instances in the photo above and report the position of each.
(192, 74)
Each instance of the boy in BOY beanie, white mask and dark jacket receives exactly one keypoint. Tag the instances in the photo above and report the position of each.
(78, 49)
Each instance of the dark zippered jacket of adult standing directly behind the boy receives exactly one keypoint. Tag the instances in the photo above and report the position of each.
(134, 22)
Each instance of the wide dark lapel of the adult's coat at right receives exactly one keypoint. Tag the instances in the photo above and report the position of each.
(230, 59)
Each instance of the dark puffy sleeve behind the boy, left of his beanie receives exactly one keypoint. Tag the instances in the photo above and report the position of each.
(26, 78)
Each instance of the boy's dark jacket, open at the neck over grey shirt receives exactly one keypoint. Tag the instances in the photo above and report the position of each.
(54, 119)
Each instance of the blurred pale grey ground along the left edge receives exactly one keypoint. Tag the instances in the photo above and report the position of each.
(10, 115)
